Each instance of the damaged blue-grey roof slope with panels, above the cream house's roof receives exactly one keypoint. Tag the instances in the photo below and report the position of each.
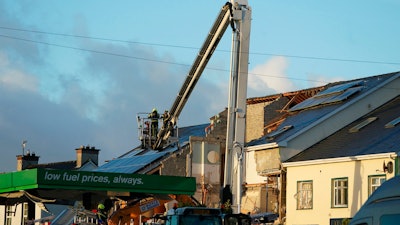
(334, 95)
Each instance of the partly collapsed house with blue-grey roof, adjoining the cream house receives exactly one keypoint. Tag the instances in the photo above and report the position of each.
(308, 123)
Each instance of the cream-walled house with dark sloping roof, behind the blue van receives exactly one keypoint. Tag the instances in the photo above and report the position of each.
(328, 182)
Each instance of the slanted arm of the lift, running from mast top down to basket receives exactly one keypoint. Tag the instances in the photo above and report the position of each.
(204, 55)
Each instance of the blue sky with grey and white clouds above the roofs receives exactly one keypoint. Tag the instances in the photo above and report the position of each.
(76, 72)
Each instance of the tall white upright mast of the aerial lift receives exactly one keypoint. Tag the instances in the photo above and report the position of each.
(236, 117)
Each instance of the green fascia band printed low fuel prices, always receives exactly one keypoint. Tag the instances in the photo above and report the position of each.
(95, 181)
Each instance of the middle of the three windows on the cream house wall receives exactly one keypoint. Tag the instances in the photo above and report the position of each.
(339, 192)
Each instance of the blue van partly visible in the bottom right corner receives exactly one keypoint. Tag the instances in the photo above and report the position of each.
(382, 207)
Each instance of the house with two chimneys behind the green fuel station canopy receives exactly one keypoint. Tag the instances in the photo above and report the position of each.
(21, 209)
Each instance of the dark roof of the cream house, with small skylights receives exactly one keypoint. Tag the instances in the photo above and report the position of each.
(380, 129)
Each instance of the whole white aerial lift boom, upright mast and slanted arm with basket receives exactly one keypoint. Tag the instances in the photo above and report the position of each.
(237, 14)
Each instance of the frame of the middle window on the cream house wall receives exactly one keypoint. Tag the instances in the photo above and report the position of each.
(339, 189)
